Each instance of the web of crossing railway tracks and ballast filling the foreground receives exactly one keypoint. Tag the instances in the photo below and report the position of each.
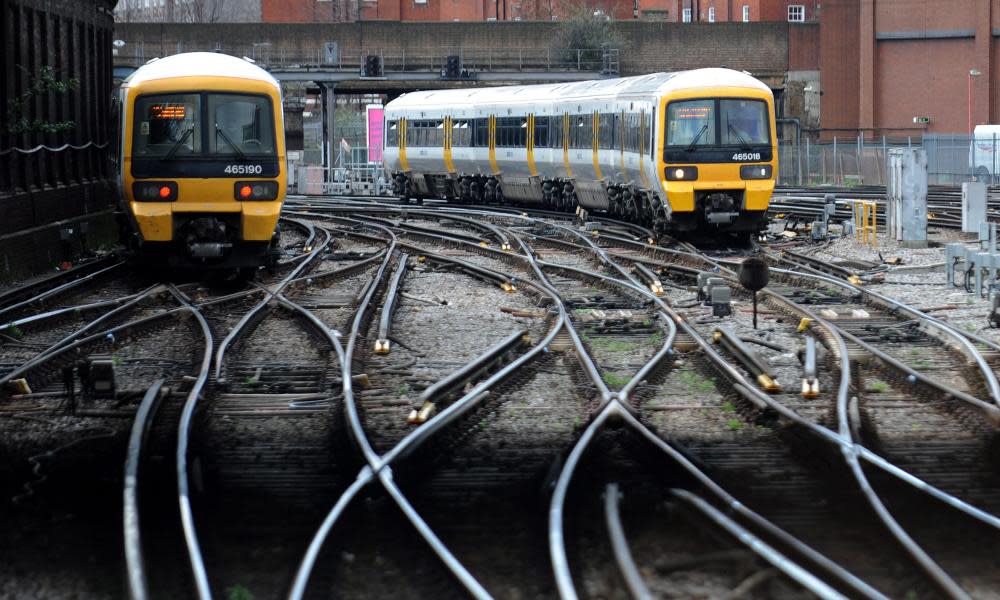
(468, 401)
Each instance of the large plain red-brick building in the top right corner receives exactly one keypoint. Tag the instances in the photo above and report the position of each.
(882, 64)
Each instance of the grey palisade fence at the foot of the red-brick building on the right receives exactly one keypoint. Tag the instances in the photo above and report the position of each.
(859, 161)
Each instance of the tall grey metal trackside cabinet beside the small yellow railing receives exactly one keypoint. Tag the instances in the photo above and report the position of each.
(906, 197)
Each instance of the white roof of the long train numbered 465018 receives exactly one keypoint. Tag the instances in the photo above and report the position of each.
(653, 83)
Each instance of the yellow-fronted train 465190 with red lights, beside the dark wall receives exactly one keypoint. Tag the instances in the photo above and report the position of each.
(202, 158)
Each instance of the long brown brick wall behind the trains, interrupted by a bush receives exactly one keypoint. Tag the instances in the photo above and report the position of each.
(648, 46)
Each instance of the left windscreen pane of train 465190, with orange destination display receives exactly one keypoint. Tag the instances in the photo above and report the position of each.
(167, 124)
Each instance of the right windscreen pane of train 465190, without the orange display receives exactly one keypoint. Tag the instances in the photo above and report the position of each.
(241, 125)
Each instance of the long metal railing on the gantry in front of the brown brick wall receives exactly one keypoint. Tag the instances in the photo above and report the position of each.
(393, 60)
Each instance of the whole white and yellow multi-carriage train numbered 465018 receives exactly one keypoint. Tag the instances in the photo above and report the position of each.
(688, 150)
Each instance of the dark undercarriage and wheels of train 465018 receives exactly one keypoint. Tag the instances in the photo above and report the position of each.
(715, 211)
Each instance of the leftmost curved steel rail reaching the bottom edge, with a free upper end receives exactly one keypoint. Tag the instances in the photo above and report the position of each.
(135, 564)
